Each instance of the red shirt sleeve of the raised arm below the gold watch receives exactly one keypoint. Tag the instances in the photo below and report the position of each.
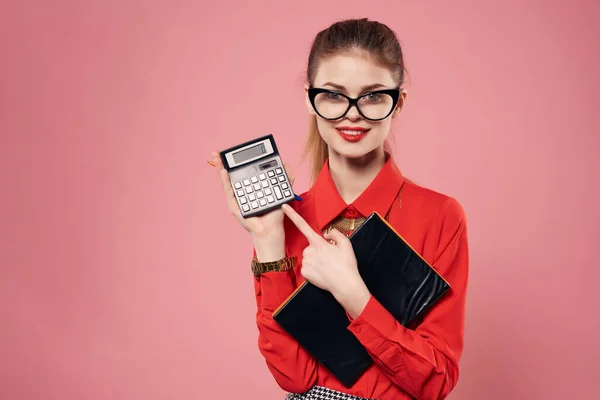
(294, 369)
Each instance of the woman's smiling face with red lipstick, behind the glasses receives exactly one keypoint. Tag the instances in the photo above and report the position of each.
(352, 135)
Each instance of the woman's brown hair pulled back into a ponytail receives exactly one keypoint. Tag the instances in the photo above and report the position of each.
(370, 38)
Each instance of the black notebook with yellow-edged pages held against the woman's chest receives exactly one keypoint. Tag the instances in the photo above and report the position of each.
(395, 274)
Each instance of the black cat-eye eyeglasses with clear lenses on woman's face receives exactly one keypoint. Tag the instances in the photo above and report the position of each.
(374, 106)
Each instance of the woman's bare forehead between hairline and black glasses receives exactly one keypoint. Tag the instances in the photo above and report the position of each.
(353, 71)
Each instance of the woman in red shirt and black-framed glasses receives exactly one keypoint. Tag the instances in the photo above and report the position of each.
(355, 76)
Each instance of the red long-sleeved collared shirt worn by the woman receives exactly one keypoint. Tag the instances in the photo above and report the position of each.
(420, 363)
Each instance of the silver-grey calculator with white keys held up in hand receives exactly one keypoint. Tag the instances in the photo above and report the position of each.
(258, 178)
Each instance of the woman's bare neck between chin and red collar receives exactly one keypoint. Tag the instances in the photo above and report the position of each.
(353, 175)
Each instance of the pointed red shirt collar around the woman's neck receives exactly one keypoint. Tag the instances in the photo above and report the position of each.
(378, 196)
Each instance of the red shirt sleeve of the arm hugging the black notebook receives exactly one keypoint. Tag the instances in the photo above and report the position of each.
(424, 362)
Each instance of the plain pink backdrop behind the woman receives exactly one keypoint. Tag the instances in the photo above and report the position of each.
(124, 277)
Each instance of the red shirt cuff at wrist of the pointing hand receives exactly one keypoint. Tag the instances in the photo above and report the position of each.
(374, 326)
